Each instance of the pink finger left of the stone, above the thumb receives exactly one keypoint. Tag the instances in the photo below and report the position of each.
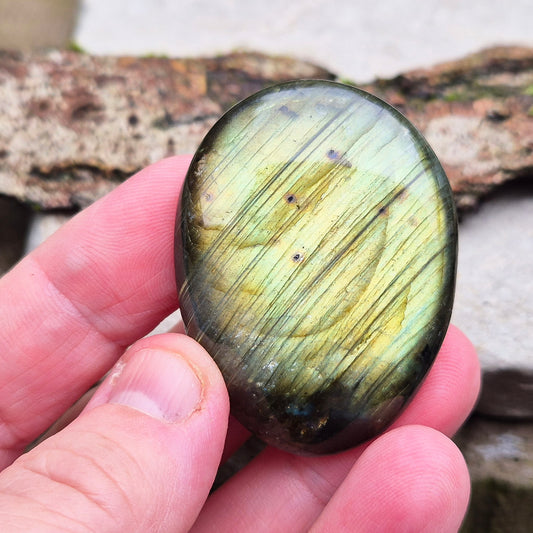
(100, 283)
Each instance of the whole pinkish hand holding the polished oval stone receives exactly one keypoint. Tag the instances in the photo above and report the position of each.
(142, 455)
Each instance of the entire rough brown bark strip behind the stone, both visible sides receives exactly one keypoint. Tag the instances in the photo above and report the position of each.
(72, 125)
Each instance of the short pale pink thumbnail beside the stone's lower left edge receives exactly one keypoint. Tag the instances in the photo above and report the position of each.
(158, 383)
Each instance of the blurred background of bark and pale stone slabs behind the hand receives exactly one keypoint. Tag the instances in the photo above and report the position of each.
(477, 113)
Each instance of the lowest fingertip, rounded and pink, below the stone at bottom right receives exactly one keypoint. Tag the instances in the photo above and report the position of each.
(411, 479)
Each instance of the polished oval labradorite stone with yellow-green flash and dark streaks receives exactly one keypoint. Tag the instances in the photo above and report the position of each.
(315, 259)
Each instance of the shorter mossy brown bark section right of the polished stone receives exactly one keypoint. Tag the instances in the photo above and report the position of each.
(476, 113)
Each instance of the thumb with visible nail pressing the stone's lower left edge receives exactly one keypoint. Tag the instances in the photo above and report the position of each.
(141, 457)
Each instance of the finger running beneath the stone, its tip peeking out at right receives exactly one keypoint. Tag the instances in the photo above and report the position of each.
(298, 488)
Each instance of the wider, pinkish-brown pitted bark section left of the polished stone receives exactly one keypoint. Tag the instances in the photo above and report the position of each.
(72, 126)
